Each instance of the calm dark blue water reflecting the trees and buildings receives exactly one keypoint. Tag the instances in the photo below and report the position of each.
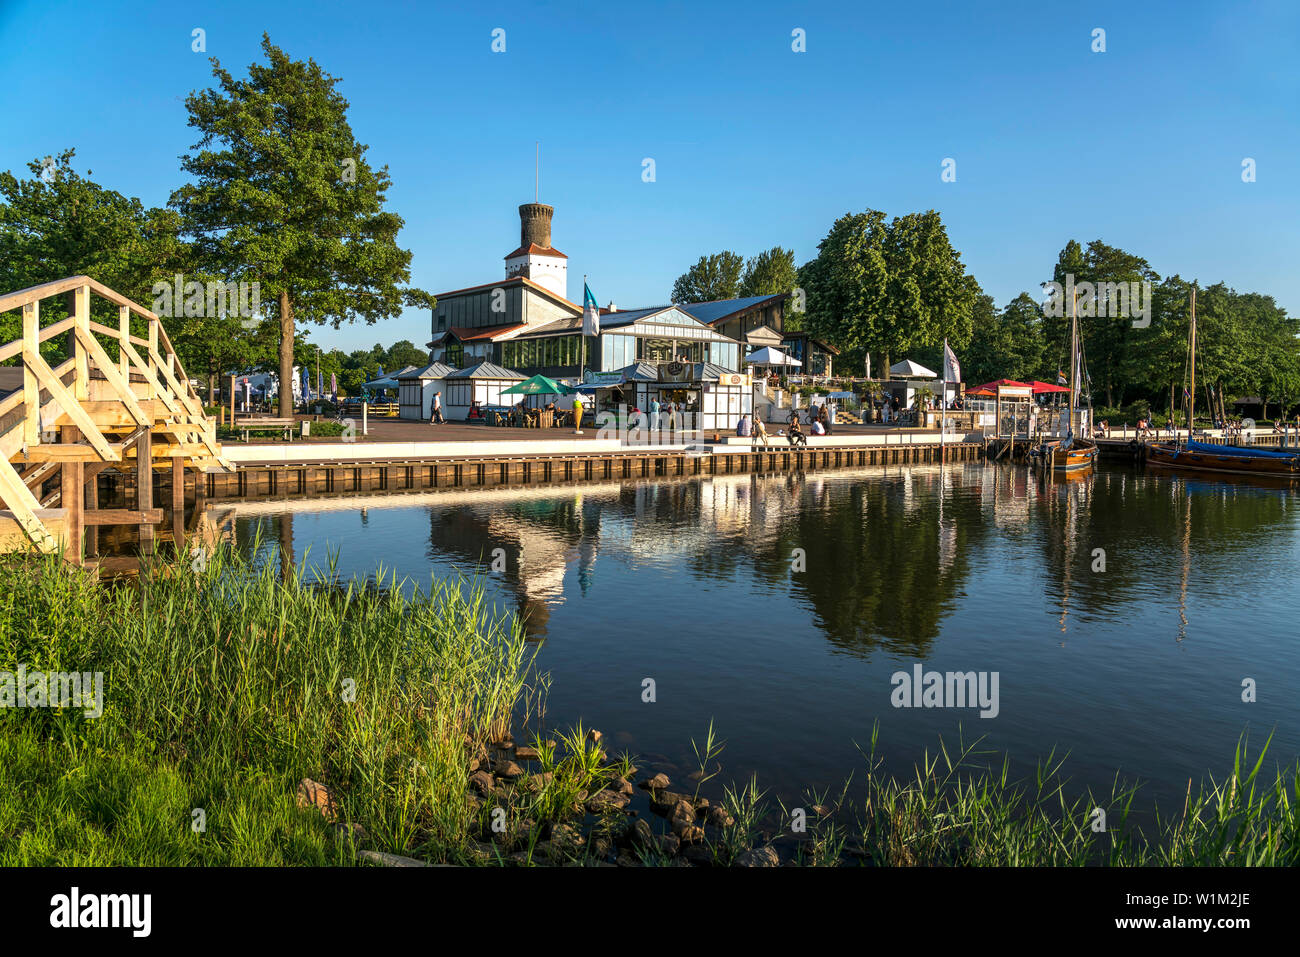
(781, 608)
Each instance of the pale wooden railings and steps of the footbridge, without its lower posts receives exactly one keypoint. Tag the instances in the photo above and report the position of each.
(94, 406)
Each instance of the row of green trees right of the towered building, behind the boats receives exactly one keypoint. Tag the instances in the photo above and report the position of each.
(896, 288)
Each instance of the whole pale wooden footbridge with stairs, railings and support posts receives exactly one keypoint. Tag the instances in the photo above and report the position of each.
(132, 412)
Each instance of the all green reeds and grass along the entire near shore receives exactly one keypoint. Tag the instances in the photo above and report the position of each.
(228, 685)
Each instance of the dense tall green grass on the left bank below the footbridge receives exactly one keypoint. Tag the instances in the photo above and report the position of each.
(226, 688)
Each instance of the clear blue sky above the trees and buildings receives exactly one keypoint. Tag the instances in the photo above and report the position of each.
(755, 145)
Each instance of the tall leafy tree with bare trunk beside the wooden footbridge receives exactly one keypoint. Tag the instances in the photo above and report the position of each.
(284, 196)
